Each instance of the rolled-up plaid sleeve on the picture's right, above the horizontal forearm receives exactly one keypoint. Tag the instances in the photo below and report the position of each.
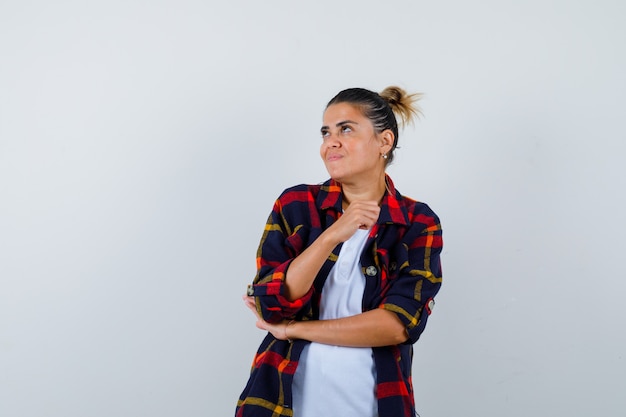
(411, 293)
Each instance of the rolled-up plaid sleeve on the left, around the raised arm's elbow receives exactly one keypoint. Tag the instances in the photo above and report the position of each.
(279, 245)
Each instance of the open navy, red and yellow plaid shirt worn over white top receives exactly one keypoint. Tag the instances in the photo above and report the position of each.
(403, 273)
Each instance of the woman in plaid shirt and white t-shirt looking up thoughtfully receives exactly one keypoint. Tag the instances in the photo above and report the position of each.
(347, 272)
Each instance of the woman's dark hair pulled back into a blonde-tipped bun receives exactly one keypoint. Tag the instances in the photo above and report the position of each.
(382, 108)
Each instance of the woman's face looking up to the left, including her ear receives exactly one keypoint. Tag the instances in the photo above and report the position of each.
(351, 149)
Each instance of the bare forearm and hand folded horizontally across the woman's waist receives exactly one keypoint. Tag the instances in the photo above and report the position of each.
(369, 329)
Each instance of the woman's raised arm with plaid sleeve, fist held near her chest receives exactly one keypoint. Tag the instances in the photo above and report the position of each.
(286, 269)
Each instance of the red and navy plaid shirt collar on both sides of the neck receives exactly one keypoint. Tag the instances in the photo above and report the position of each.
(392, 208)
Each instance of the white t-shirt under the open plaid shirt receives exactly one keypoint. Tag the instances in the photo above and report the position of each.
(334, 380)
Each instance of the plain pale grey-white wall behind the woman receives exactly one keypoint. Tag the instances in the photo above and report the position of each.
(142, 145)
